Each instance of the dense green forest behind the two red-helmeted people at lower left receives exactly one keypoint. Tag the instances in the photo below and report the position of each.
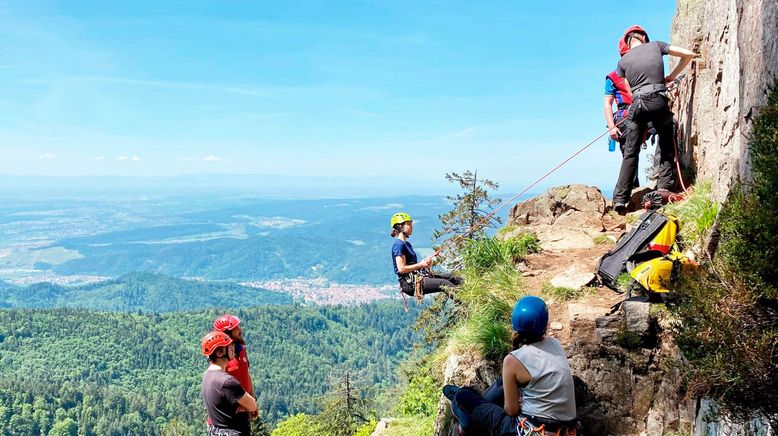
(102, 373)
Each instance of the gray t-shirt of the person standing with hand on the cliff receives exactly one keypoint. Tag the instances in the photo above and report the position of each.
(643, 65)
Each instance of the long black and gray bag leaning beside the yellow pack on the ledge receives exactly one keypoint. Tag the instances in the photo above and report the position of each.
(614, 262)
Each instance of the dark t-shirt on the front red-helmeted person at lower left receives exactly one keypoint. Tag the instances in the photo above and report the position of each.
(221, 393)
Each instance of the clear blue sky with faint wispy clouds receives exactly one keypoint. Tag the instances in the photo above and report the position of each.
(373, 88)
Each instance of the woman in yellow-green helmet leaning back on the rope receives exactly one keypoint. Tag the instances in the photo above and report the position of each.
(411, 272)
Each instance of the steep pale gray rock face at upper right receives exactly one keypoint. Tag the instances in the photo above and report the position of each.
(738, 41)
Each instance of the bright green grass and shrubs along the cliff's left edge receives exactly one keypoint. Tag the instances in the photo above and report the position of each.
(477, 322)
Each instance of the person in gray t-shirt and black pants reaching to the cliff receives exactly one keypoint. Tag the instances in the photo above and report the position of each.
(643, 70)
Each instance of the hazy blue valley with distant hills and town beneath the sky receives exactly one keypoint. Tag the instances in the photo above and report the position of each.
(211, 237)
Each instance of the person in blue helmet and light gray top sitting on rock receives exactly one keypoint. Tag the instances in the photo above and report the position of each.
(538, 394)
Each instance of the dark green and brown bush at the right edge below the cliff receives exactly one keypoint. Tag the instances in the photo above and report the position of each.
(728, 312)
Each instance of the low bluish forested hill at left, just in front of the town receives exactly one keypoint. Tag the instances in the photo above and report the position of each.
(142, 292)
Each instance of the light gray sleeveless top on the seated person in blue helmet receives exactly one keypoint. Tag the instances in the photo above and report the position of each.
(550, 393)
